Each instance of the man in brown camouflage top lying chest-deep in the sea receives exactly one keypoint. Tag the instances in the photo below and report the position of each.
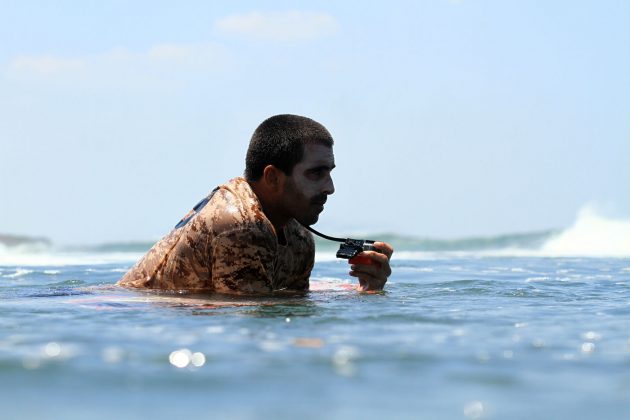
(248, 235)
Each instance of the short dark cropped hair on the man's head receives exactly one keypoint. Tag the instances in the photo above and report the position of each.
(279, 141)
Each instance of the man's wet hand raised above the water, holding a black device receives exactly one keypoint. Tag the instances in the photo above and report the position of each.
(373, 276)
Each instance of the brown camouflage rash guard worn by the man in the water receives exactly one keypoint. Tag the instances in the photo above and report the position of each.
(228, 246)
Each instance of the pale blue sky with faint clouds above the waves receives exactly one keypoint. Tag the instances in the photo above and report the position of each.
(450, 118)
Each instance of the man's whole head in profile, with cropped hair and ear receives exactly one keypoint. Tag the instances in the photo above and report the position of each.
(289, 161)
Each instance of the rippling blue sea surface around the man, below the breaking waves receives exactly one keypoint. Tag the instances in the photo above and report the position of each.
(453, 336)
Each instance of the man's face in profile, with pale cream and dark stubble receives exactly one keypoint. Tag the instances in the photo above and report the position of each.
(308, 187)
